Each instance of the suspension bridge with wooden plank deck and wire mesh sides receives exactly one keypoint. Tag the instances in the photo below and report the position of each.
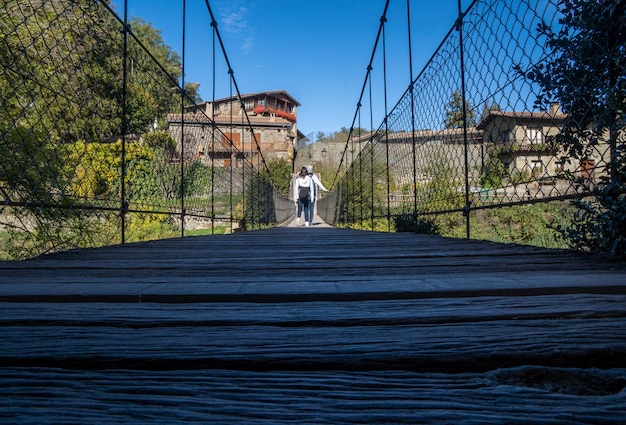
(154, 271)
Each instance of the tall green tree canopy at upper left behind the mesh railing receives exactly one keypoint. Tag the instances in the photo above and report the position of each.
(77, 49)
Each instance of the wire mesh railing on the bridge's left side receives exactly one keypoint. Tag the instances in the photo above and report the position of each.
(97, 146)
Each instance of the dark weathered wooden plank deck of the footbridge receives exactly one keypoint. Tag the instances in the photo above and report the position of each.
(313, 326)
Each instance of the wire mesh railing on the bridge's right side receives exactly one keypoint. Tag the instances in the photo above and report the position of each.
(468, 134)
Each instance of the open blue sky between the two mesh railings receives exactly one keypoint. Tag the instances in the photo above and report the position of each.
(316, 50)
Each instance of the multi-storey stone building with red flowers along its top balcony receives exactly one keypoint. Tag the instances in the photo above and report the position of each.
(225, 131)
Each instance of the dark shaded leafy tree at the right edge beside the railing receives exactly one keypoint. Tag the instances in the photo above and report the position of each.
(584, 71)
